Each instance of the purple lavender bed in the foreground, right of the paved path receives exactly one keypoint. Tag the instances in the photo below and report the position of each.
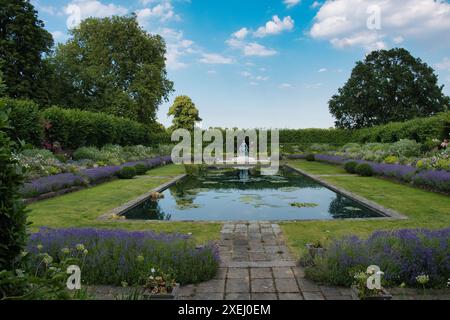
(402, 255)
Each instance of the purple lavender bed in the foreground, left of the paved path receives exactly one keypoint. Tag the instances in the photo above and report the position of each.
(113, 257)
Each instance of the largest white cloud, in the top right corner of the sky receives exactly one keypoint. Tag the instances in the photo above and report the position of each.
(344, 22)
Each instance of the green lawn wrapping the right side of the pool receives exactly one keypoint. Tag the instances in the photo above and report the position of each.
(424, 209)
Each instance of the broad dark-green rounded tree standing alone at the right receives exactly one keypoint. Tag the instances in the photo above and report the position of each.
(389, 85)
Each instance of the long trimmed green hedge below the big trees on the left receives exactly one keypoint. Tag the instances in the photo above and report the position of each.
(73, 128)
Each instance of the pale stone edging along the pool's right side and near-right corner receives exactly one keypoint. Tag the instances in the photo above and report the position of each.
(388, 214)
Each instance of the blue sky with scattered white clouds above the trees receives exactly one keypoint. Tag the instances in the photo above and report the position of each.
(270, 63)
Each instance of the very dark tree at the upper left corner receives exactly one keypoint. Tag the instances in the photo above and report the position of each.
(23, 43)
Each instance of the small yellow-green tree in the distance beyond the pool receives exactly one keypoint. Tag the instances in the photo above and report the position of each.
(184, 113)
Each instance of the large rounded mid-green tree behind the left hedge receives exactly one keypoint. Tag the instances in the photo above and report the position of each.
(111, 65)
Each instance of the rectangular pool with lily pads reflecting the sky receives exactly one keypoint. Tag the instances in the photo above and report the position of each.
(231, 195)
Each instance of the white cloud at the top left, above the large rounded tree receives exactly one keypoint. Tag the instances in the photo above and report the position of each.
(78, 10)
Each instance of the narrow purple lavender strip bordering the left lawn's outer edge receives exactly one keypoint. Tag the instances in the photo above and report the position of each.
(82, 178)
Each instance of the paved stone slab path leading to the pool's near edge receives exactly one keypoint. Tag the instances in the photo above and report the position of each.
(257, 265)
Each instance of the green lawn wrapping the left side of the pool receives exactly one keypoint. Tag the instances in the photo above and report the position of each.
(82, 208)
